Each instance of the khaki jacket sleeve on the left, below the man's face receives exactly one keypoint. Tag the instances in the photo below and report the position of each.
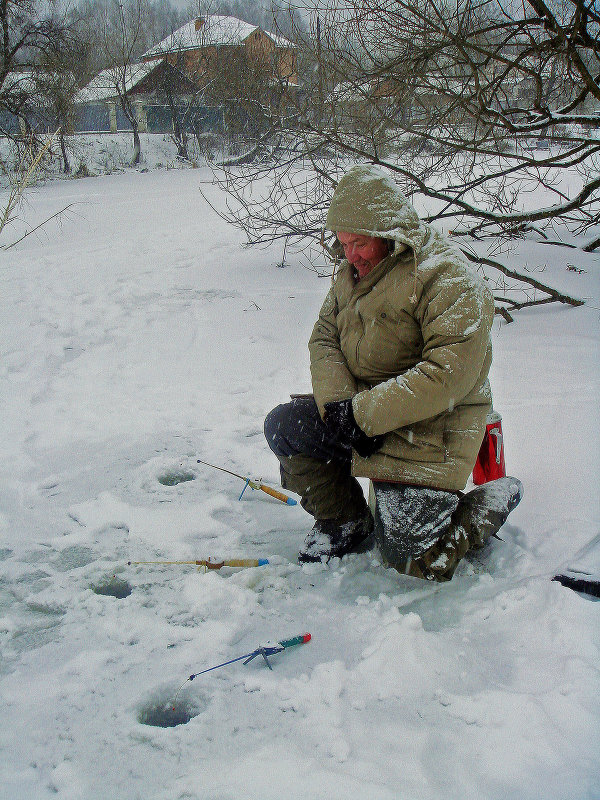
(331, 377)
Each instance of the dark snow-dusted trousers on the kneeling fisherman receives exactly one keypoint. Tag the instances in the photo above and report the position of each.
(411, 522)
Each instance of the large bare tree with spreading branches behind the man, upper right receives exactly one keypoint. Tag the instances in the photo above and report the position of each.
(487, 112)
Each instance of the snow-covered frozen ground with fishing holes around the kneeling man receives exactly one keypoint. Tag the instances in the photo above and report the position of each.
(137, 336)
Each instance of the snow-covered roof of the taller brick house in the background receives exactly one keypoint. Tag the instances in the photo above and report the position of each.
(214, 30)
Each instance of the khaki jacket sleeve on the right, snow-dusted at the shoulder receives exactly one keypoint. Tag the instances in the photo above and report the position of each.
(456, 314)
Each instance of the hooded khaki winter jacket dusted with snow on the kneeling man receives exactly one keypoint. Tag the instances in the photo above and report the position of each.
(409, 342)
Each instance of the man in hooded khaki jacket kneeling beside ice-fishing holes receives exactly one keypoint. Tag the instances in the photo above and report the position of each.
(399, 361)
